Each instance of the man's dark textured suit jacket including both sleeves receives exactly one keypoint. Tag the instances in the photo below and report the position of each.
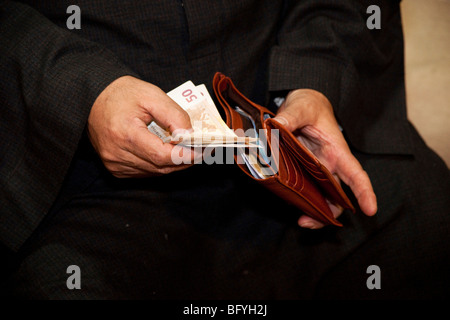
(50, 76)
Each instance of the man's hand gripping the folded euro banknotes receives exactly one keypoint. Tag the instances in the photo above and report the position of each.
(117, 128)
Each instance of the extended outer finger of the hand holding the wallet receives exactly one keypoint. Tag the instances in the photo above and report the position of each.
(352, 174)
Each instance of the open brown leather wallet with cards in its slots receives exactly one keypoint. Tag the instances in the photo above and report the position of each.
(299, 177)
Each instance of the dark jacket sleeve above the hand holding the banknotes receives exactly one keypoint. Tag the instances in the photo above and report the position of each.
(49, 79)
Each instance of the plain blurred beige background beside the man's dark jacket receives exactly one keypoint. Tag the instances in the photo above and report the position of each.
(427, 62)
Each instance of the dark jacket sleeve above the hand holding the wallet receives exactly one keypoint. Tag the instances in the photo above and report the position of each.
(327, 46)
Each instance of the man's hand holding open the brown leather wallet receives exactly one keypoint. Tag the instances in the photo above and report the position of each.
(309, 115)
